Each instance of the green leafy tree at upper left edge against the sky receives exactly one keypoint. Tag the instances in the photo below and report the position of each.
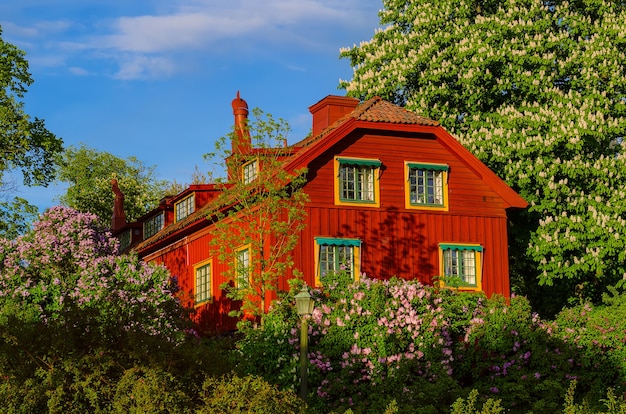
(25, 144)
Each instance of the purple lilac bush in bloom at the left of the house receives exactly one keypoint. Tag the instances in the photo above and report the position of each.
(67, 266)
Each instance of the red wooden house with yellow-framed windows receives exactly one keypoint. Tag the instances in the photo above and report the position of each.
(391, 193)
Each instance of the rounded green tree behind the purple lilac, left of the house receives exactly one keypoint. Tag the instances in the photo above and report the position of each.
(89, 173)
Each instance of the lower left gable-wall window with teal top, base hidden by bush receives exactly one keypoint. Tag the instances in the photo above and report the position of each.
(334, 255)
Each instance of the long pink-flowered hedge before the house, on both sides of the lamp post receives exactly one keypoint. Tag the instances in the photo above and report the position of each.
(380, 341)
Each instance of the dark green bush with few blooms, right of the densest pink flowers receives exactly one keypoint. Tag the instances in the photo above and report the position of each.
(507, 353)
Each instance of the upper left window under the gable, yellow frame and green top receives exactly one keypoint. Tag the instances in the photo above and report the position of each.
(357, 181)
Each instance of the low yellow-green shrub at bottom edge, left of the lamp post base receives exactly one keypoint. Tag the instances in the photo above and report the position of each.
(249, 394)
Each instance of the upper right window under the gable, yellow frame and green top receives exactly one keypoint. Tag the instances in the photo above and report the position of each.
(427, 186)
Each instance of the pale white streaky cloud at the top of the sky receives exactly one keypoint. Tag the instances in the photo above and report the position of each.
(202, 25)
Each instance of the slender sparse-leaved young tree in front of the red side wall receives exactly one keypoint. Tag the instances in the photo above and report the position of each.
(262, 212)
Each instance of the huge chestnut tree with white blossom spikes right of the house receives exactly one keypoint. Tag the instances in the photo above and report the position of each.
(537, 90)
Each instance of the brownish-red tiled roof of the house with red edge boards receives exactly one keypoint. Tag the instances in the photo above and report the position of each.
(374, 113)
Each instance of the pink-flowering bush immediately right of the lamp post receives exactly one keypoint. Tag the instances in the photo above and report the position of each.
(377, 331)
